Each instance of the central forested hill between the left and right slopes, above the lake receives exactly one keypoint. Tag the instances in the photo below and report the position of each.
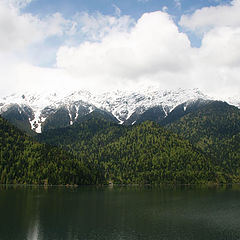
(144, 153)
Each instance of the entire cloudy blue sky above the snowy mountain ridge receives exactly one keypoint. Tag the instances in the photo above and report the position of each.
(104, 45)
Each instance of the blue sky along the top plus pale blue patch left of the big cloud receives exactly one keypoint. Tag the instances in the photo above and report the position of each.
(133, 8)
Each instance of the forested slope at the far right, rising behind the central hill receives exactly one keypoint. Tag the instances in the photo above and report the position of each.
(215, 129)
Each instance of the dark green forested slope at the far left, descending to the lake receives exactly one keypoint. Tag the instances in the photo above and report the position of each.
(24, 161)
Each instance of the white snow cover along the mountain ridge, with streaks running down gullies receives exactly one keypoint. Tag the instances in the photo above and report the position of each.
(122, 104)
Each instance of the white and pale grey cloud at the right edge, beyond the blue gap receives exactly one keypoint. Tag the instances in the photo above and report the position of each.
(218, 58)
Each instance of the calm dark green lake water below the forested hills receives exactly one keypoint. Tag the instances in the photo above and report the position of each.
(115, 213)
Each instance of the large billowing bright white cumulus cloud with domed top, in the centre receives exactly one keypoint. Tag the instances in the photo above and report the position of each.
(152, 46)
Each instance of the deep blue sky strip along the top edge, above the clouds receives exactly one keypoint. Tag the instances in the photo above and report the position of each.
(133, 8)
